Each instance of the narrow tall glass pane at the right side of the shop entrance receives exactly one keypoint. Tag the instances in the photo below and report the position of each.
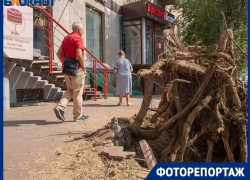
(149, 43)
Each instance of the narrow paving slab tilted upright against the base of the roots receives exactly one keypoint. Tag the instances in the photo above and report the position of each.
(148, 154)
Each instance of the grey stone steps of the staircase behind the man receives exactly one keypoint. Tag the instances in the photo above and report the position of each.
(25, 70)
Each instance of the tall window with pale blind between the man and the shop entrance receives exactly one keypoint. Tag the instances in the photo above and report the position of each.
(94, 32)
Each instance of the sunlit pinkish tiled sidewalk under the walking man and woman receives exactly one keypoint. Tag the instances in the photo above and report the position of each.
(31, 130)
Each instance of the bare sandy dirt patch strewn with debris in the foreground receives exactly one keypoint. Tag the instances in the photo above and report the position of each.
(83, 160)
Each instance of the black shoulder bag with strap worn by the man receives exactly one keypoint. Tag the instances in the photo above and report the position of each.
(70, 66)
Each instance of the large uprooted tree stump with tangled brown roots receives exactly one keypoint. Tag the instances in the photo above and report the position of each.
(204, 100)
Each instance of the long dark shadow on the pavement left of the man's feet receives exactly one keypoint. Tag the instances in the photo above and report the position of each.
(20, 122)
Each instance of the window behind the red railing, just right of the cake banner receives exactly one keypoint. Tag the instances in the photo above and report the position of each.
(40, 25)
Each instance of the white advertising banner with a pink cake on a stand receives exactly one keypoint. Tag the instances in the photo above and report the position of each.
(18, 32)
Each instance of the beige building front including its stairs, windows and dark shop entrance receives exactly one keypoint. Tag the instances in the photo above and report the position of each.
(136, 26)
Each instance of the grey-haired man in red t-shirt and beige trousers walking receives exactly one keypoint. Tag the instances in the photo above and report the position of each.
(72, 47)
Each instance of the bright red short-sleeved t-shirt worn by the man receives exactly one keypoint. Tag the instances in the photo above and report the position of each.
(70, 44)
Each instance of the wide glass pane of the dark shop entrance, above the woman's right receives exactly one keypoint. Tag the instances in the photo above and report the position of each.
(132, 41)
